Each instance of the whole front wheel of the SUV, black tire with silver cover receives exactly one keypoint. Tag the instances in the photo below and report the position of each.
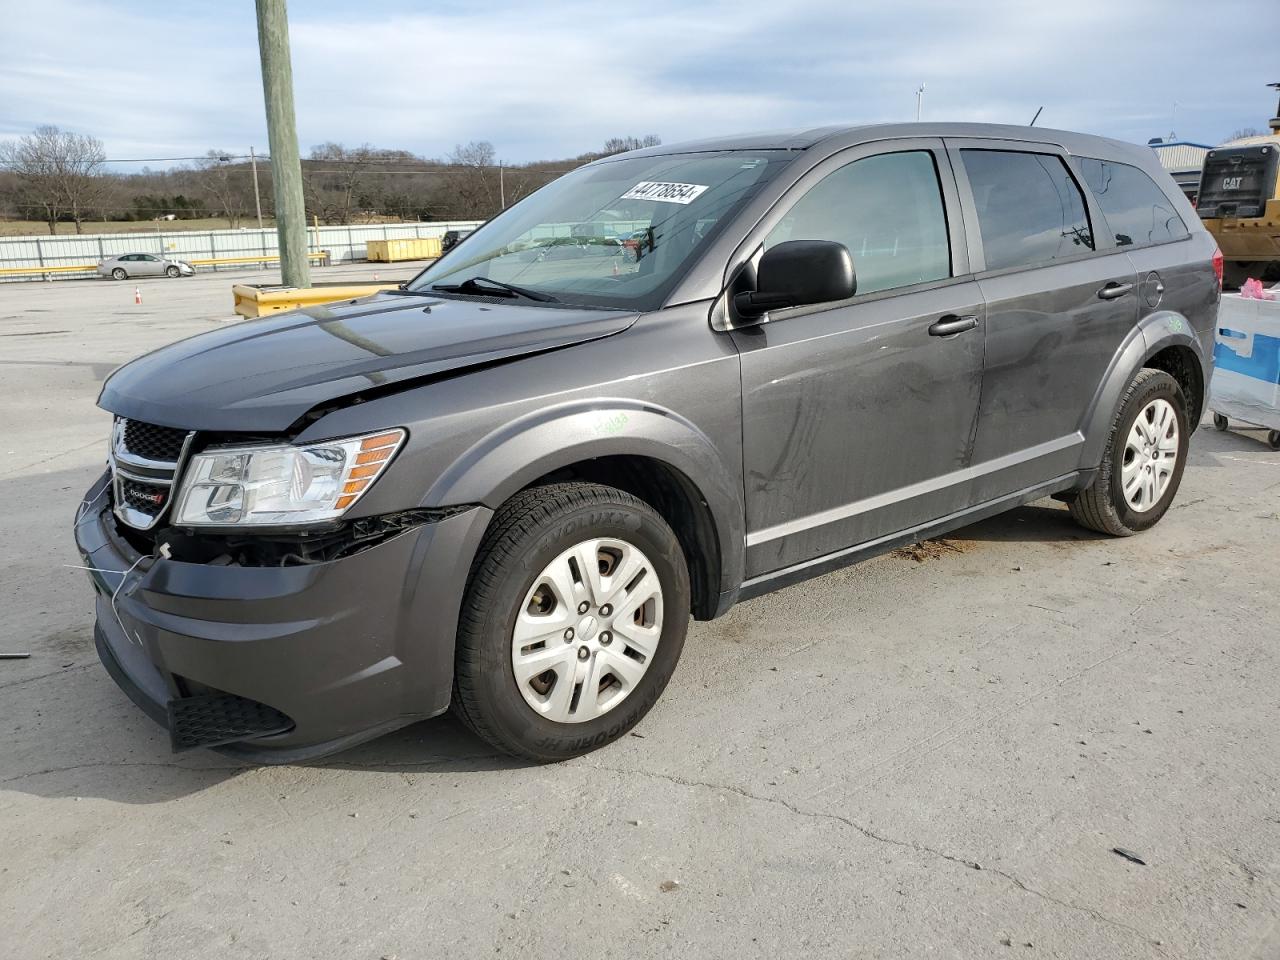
(511, 587)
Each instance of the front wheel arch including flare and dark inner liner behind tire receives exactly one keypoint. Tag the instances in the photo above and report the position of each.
(646, 450)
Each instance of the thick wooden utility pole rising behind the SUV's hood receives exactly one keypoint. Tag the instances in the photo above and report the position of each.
(282, 132)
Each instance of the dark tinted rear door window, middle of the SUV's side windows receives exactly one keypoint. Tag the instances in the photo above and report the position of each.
(1030, 209)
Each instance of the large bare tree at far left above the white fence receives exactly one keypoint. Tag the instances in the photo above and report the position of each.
(60, 173)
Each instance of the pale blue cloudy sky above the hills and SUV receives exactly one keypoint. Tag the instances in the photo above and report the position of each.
(556, 79)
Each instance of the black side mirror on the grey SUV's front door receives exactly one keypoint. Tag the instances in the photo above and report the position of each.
(798, 273)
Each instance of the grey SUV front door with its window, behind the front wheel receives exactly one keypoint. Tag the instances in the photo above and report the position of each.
(858, 418)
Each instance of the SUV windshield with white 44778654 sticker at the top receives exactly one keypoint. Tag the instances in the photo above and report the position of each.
(615, 235)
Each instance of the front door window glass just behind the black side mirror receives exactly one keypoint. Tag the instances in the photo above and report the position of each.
(888, 211)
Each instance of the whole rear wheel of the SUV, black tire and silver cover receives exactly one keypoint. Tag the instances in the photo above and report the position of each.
(1105, 506)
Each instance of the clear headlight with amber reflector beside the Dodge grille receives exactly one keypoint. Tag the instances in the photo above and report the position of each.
(282, 484)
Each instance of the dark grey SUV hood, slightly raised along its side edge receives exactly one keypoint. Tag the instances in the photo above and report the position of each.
(263, 376)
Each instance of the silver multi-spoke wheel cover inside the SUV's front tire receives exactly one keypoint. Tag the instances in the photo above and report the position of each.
(588, 630)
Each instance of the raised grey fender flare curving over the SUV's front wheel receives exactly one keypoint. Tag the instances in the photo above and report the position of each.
(520, 452)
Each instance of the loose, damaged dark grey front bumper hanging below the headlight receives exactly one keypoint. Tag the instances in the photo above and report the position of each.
(282, 664)
